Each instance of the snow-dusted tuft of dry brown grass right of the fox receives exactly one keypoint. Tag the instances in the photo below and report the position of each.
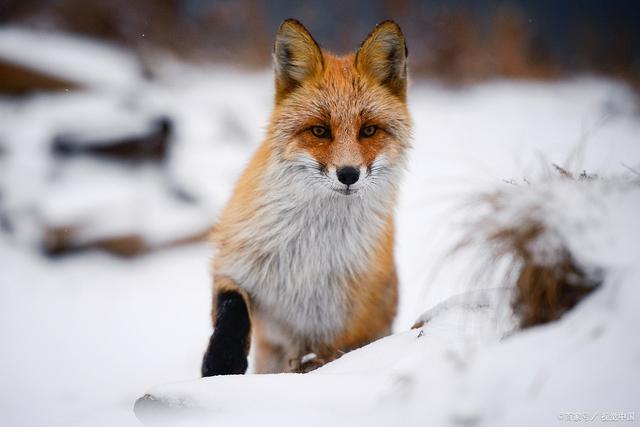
(547, 278)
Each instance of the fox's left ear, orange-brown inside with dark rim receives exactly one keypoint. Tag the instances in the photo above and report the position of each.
(296, 57)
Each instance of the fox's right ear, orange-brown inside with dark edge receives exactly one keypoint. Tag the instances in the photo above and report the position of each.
(383, 56)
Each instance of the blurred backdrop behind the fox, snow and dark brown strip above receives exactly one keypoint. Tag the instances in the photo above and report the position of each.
(123, 126)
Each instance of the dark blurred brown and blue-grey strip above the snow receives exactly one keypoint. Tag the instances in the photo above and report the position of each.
(455, 40)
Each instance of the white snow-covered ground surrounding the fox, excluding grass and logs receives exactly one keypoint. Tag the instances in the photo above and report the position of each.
(86, 335)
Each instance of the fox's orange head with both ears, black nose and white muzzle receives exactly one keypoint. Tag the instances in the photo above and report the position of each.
(341, 123)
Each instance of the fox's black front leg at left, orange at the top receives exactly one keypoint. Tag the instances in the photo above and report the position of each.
(229, 344)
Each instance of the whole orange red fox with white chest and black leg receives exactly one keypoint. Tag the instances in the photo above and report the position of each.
(303, 264)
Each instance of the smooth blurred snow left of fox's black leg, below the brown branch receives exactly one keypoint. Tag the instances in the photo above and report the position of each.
(82, 337)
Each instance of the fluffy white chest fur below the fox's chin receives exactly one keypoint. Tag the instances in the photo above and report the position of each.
(302, 246)
